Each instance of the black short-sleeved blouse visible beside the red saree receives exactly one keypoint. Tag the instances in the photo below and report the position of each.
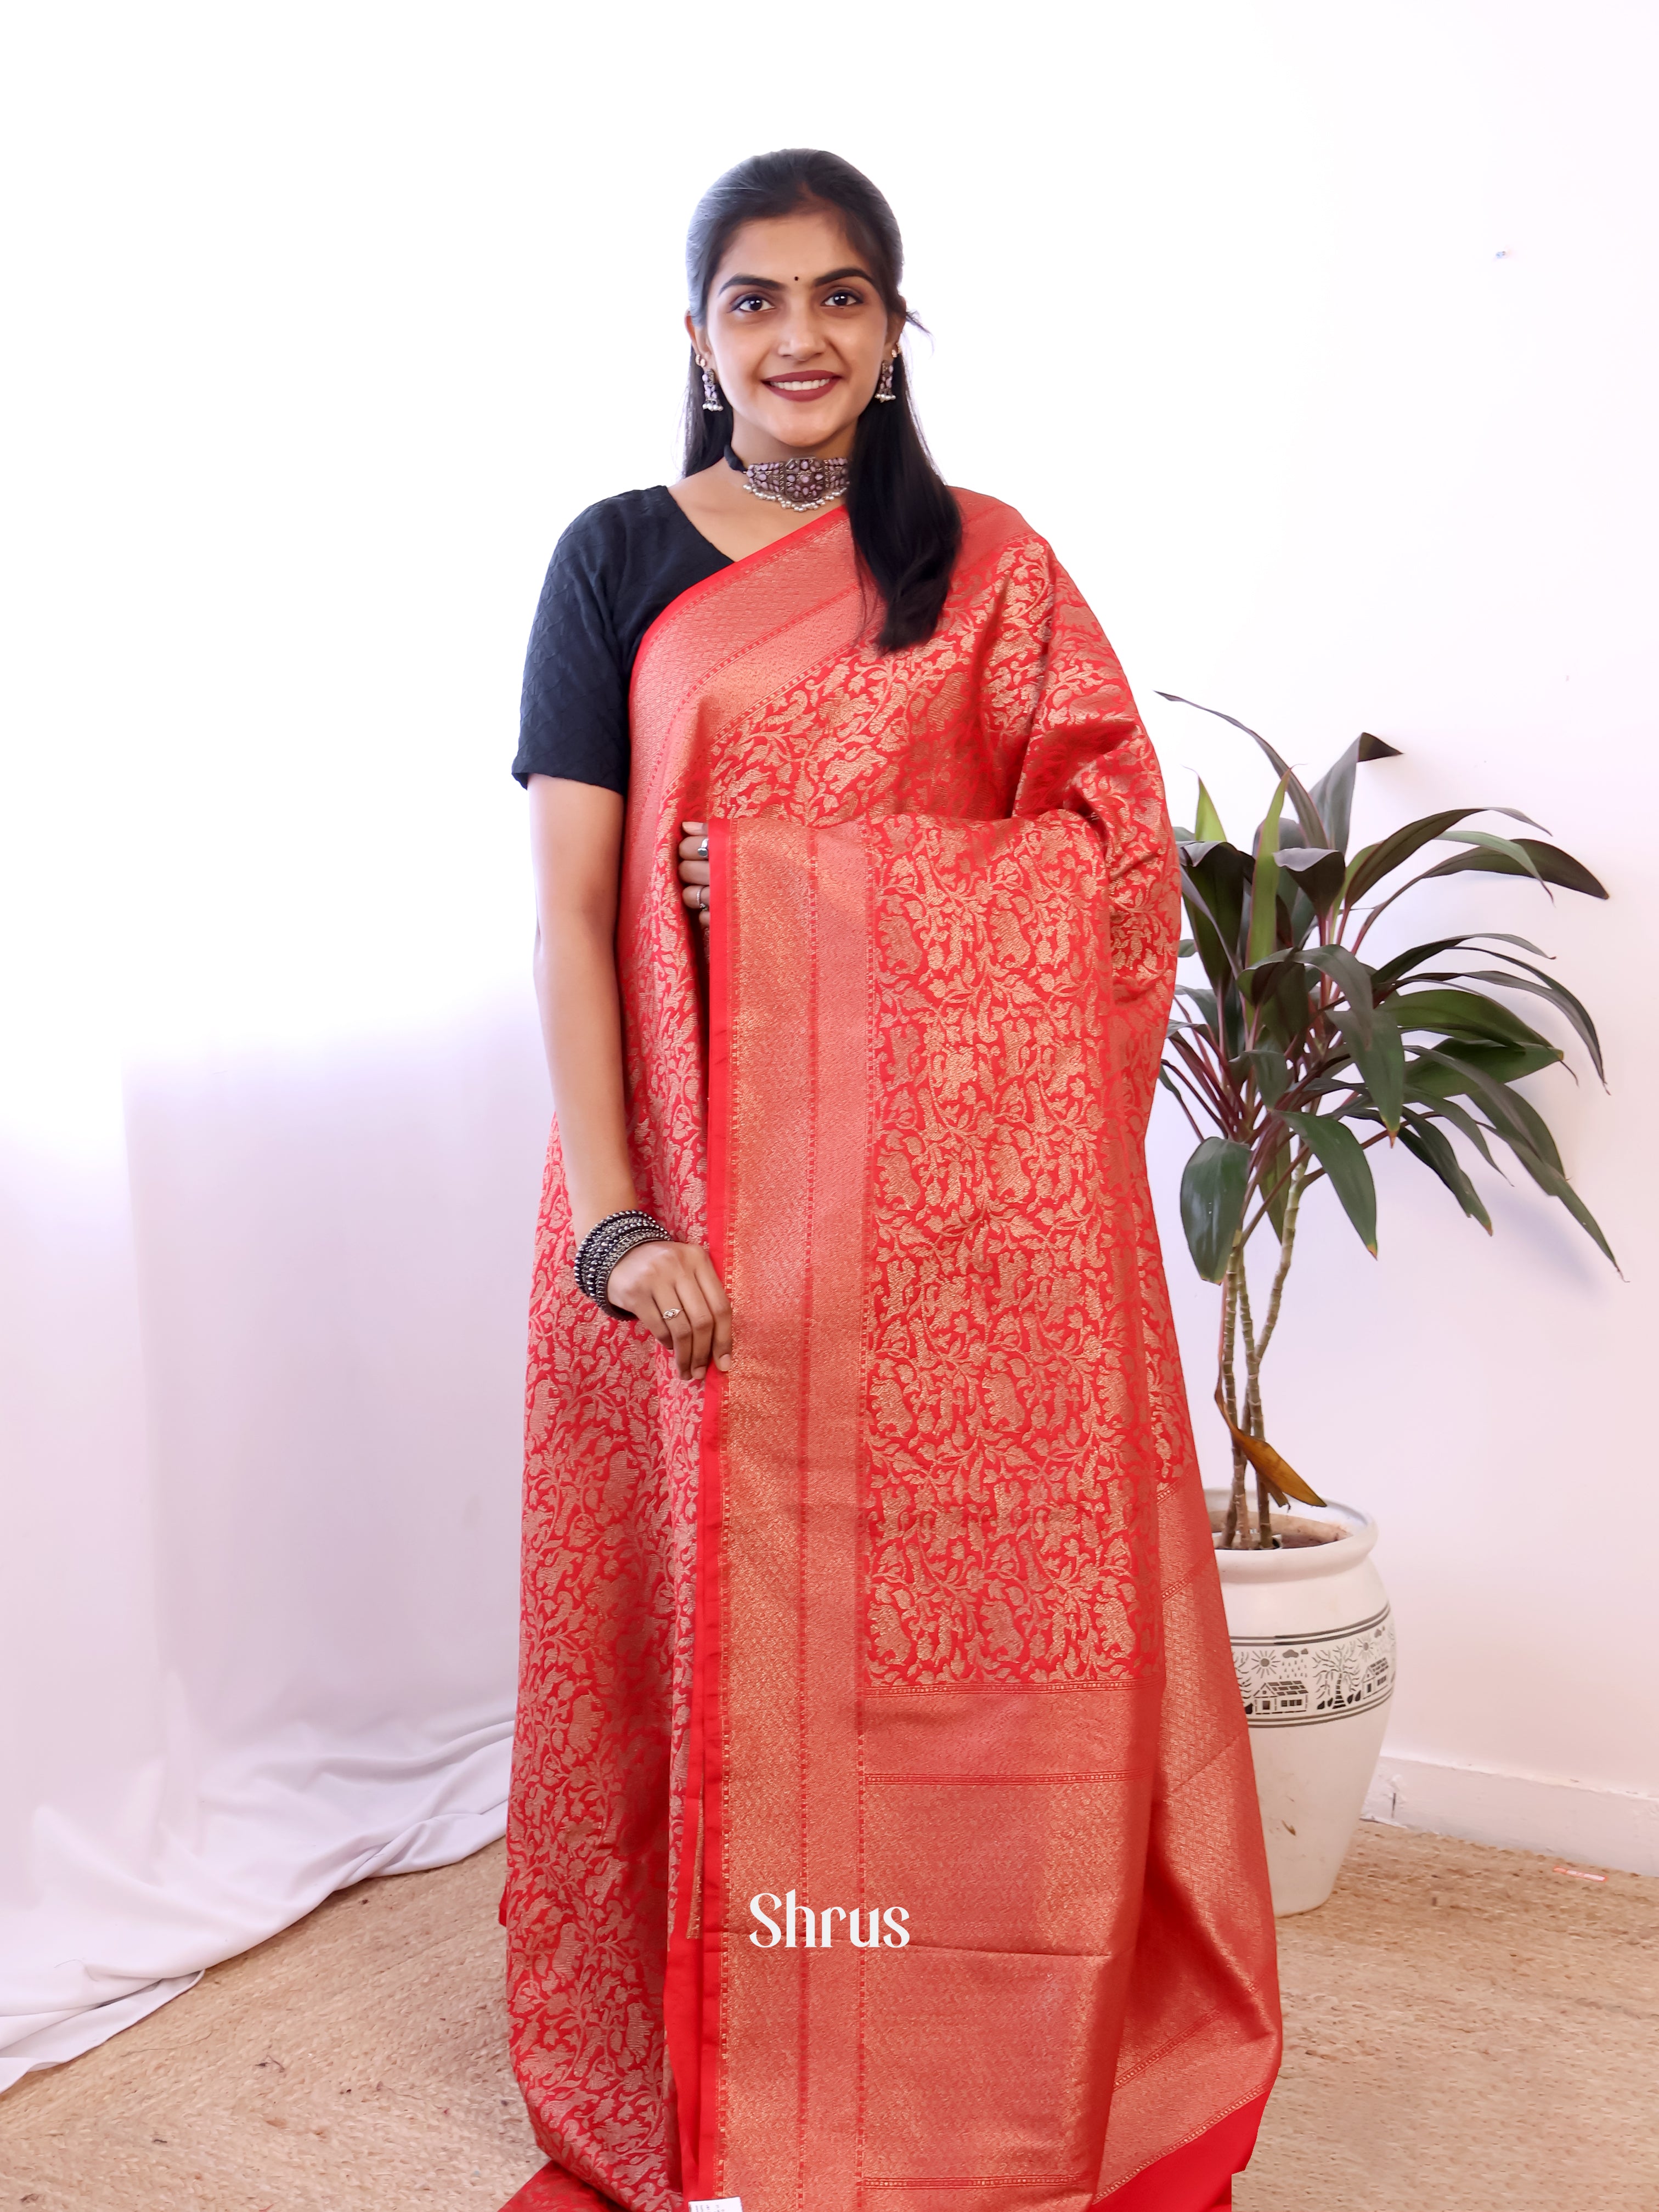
(614, 572)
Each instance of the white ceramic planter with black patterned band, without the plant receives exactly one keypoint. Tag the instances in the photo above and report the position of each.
(1315, 1653)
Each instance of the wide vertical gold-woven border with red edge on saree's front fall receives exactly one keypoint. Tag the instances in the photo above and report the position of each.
(766, 2052)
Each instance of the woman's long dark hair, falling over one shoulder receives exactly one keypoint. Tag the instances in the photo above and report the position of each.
(906, 523)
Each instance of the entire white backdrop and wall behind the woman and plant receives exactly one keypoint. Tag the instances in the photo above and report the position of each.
(1319, 340)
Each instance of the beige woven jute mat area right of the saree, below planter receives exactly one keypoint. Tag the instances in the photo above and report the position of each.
(1465, 2032)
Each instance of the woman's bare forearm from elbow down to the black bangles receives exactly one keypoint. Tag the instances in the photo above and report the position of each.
(576, 990)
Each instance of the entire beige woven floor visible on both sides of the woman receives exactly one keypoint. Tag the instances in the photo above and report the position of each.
(1468, 2032)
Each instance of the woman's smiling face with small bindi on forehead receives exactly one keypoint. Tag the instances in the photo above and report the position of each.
(797, 335)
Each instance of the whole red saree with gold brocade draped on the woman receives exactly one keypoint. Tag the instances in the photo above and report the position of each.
(884, 1819)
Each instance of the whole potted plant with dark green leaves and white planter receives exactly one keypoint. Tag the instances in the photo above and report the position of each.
(1295, 1052)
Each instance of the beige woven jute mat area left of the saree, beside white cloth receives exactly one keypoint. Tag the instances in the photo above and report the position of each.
(357, 2060)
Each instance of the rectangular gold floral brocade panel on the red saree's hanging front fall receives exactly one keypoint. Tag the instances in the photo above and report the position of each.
(1005, 1421)
